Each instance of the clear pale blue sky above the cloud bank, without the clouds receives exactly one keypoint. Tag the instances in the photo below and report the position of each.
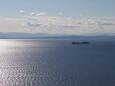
(71, 8)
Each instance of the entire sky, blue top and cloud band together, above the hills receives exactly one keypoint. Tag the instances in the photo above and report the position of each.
(60, 17)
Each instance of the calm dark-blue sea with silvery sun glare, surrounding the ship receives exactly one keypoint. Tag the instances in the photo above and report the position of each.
(57, 63)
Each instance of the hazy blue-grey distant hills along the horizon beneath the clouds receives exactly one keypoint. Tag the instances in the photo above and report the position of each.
(14, 35)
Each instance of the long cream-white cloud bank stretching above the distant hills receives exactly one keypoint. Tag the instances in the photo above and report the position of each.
(41, 23)
